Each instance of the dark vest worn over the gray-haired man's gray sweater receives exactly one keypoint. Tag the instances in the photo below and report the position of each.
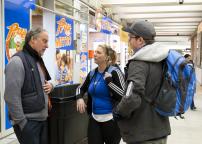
(32, 91)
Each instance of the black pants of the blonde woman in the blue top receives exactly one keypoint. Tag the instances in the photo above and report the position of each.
(103, 132)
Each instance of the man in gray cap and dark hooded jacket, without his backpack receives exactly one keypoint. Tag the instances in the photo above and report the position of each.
(138, 121)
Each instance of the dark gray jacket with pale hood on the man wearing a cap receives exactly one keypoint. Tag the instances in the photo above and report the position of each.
(141, 122)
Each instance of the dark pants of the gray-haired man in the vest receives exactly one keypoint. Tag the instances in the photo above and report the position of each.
(34, 132)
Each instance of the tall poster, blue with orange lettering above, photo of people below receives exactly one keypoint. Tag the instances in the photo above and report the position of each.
(64, 50)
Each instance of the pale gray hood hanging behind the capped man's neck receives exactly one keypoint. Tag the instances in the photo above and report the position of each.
(155, 52)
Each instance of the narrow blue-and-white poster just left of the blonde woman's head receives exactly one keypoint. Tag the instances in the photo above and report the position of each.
(83, 65)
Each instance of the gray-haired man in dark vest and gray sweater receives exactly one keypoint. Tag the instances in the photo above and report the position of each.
(27, 89)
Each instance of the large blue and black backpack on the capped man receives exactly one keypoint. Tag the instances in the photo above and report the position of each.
(178, 86)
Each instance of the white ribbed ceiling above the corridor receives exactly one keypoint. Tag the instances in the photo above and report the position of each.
(170, 18)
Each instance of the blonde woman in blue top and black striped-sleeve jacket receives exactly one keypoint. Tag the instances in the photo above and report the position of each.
(104, 90)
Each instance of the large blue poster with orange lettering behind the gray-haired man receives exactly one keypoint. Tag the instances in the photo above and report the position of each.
(17, 22)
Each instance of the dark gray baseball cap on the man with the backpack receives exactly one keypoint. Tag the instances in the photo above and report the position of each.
(143, 29)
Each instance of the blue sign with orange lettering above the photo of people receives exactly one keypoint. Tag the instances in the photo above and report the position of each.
(64, 33)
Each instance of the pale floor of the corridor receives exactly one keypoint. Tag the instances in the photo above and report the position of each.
(184, 131)
